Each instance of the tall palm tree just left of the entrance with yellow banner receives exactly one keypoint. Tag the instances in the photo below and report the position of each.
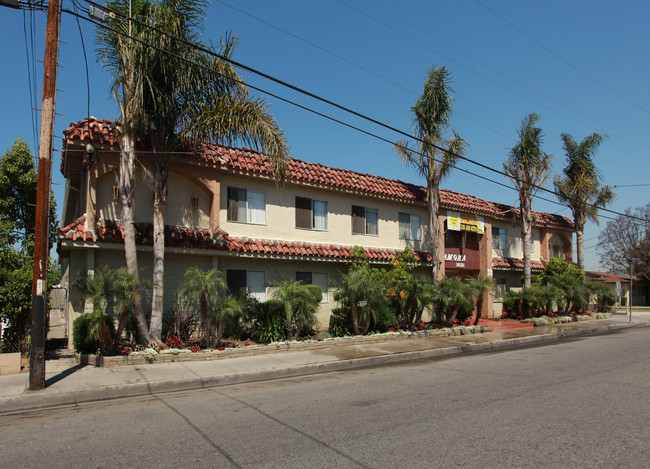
(431, 116)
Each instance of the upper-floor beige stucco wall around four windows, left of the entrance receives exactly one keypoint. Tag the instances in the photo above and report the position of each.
(280, 216)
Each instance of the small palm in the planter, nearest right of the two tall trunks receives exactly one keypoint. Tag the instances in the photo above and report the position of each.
(205, 288)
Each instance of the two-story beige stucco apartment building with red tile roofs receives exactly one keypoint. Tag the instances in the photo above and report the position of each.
(225, 212)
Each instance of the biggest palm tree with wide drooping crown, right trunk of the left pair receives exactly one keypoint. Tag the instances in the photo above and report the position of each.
(187, 97)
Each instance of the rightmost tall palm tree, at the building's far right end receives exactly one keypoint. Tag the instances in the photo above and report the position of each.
(580, 187)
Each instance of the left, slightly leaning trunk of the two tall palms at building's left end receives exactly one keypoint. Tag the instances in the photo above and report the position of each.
(127, 196)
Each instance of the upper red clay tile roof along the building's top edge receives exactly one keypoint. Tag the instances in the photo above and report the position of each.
(252, 162)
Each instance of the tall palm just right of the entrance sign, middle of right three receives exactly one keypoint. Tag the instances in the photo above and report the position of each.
(527, 166)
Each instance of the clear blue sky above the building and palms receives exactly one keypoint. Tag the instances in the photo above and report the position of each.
(581, 65)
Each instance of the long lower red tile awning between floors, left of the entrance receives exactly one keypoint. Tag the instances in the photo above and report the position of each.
(201, 239)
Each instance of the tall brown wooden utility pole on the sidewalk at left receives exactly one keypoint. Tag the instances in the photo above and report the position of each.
(41, 245)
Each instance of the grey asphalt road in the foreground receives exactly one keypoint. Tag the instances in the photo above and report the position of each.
(573, 403)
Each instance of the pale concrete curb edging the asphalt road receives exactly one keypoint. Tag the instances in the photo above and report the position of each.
(38, 400)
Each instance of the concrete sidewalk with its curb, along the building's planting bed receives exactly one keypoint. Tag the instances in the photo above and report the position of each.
(68, 383)
